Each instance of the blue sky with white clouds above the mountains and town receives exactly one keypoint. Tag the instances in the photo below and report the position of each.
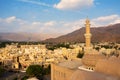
(56, 16)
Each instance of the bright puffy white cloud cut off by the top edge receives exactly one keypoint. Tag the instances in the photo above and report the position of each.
(73, 4)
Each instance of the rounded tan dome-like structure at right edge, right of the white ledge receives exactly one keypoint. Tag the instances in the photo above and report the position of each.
(109, 66)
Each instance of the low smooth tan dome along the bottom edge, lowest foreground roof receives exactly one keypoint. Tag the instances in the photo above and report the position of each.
(84, 75)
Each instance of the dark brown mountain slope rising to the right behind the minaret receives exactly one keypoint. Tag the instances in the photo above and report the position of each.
(109, 33)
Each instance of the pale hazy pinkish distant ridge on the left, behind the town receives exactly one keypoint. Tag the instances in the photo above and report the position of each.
(23, 36)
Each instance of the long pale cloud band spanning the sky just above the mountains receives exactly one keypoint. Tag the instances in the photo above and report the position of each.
(14, 24)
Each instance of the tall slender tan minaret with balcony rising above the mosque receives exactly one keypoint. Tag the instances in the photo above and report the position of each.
(87, 35)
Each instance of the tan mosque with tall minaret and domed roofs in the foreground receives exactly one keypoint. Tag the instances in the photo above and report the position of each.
(93, 66)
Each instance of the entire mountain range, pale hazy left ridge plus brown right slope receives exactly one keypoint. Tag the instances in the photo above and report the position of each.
(110, 33)
